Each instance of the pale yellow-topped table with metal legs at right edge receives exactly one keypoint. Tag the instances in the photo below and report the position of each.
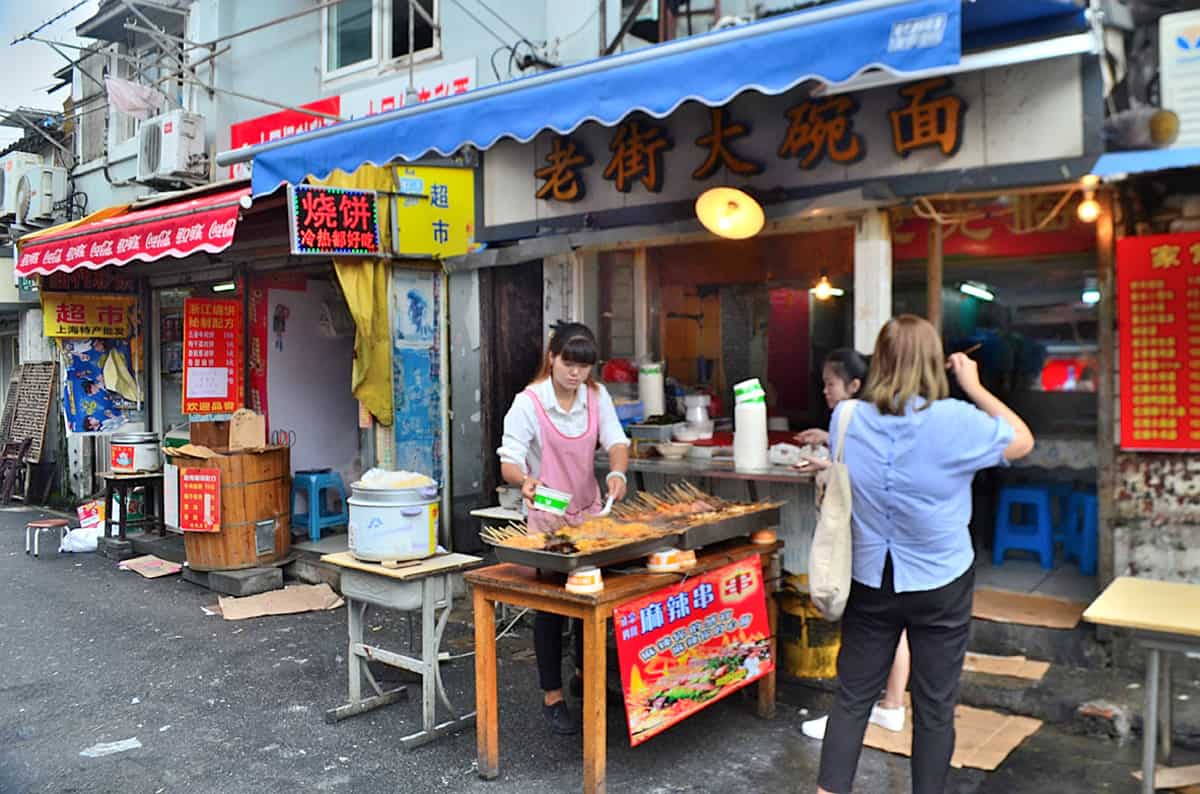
(1161, 617)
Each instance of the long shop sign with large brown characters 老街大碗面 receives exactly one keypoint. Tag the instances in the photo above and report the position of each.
(794, 141)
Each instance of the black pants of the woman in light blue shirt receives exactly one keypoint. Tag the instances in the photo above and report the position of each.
(938, 623)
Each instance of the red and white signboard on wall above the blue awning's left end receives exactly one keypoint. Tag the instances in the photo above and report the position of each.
(433, 83)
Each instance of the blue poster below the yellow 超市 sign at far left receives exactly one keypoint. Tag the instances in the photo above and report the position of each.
(100, 393)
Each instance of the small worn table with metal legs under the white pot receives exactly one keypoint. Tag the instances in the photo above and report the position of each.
(422, 586)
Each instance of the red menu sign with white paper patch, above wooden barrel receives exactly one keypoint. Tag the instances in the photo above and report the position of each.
(213, 357)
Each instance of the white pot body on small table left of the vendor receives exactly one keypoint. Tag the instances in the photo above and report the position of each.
(393, 525)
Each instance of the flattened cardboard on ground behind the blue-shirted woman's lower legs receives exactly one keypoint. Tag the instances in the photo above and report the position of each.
(985, 739)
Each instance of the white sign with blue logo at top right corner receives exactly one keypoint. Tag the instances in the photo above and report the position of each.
(1179, 63)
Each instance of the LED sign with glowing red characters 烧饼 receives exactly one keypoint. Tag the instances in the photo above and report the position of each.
(333, 221)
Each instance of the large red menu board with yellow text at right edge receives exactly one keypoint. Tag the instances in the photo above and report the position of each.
(1159, 305)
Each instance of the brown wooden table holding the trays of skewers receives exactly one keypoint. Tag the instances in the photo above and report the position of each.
(523, 587)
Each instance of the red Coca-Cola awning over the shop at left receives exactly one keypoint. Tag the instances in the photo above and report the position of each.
(176, 230)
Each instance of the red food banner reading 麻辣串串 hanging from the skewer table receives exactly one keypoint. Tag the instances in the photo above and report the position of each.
(689, 646)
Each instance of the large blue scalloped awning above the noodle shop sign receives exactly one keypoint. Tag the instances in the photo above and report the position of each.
(831, 44)
